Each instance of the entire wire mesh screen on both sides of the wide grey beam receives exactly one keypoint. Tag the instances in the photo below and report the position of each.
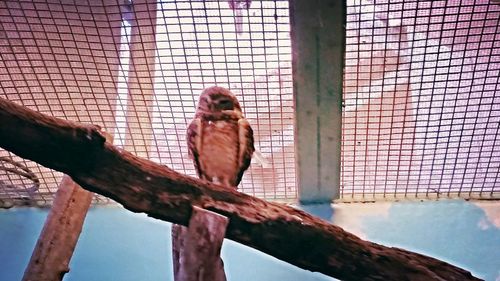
(421, 97)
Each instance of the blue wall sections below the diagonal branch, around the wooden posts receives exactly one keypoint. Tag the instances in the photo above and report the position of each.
(119, 245)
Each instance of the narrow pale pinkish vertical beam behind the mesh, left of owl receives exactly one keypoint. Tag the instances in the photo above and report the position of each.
(141, 78)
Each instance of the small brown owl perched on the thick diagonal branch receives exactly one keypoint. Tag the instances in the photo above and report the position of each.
(220, 139)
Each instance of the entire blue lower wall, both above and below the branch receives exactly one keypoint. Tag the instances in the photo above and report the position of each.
(120, 245)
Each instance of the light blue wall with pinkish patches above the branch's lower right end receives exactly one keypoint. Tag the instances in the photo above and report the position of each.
(466, 234)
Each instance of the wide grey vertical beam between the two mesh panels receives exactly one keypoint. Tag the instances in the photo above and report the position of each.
(318, 41)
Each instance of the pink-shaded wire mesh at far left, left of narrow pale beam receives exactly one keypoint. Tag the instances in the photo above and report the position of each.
(59, 60)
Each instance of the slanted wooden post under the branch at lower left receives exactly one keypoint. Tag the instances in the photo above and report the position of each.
(57, 241)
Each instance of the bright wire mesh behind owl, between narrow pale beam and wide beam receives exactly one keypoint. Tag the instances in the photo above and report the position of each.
(202, 43)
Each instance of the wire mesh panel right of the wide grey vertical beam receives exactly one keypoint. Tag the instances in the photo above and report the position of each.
(422, 100)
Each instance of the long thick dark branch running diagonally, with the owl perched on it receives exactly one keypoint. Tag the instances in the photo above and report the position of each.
(143, 186)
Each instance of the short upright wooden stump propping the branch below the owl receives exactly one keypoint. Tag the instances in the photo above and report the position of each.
(196, 249)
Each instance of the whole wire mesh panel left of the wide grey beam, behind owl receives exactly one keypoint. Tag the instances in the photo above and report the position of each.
(137, 68)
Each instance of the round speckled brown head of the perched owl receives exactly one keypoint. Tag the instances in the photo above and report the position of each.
(218, 100)
